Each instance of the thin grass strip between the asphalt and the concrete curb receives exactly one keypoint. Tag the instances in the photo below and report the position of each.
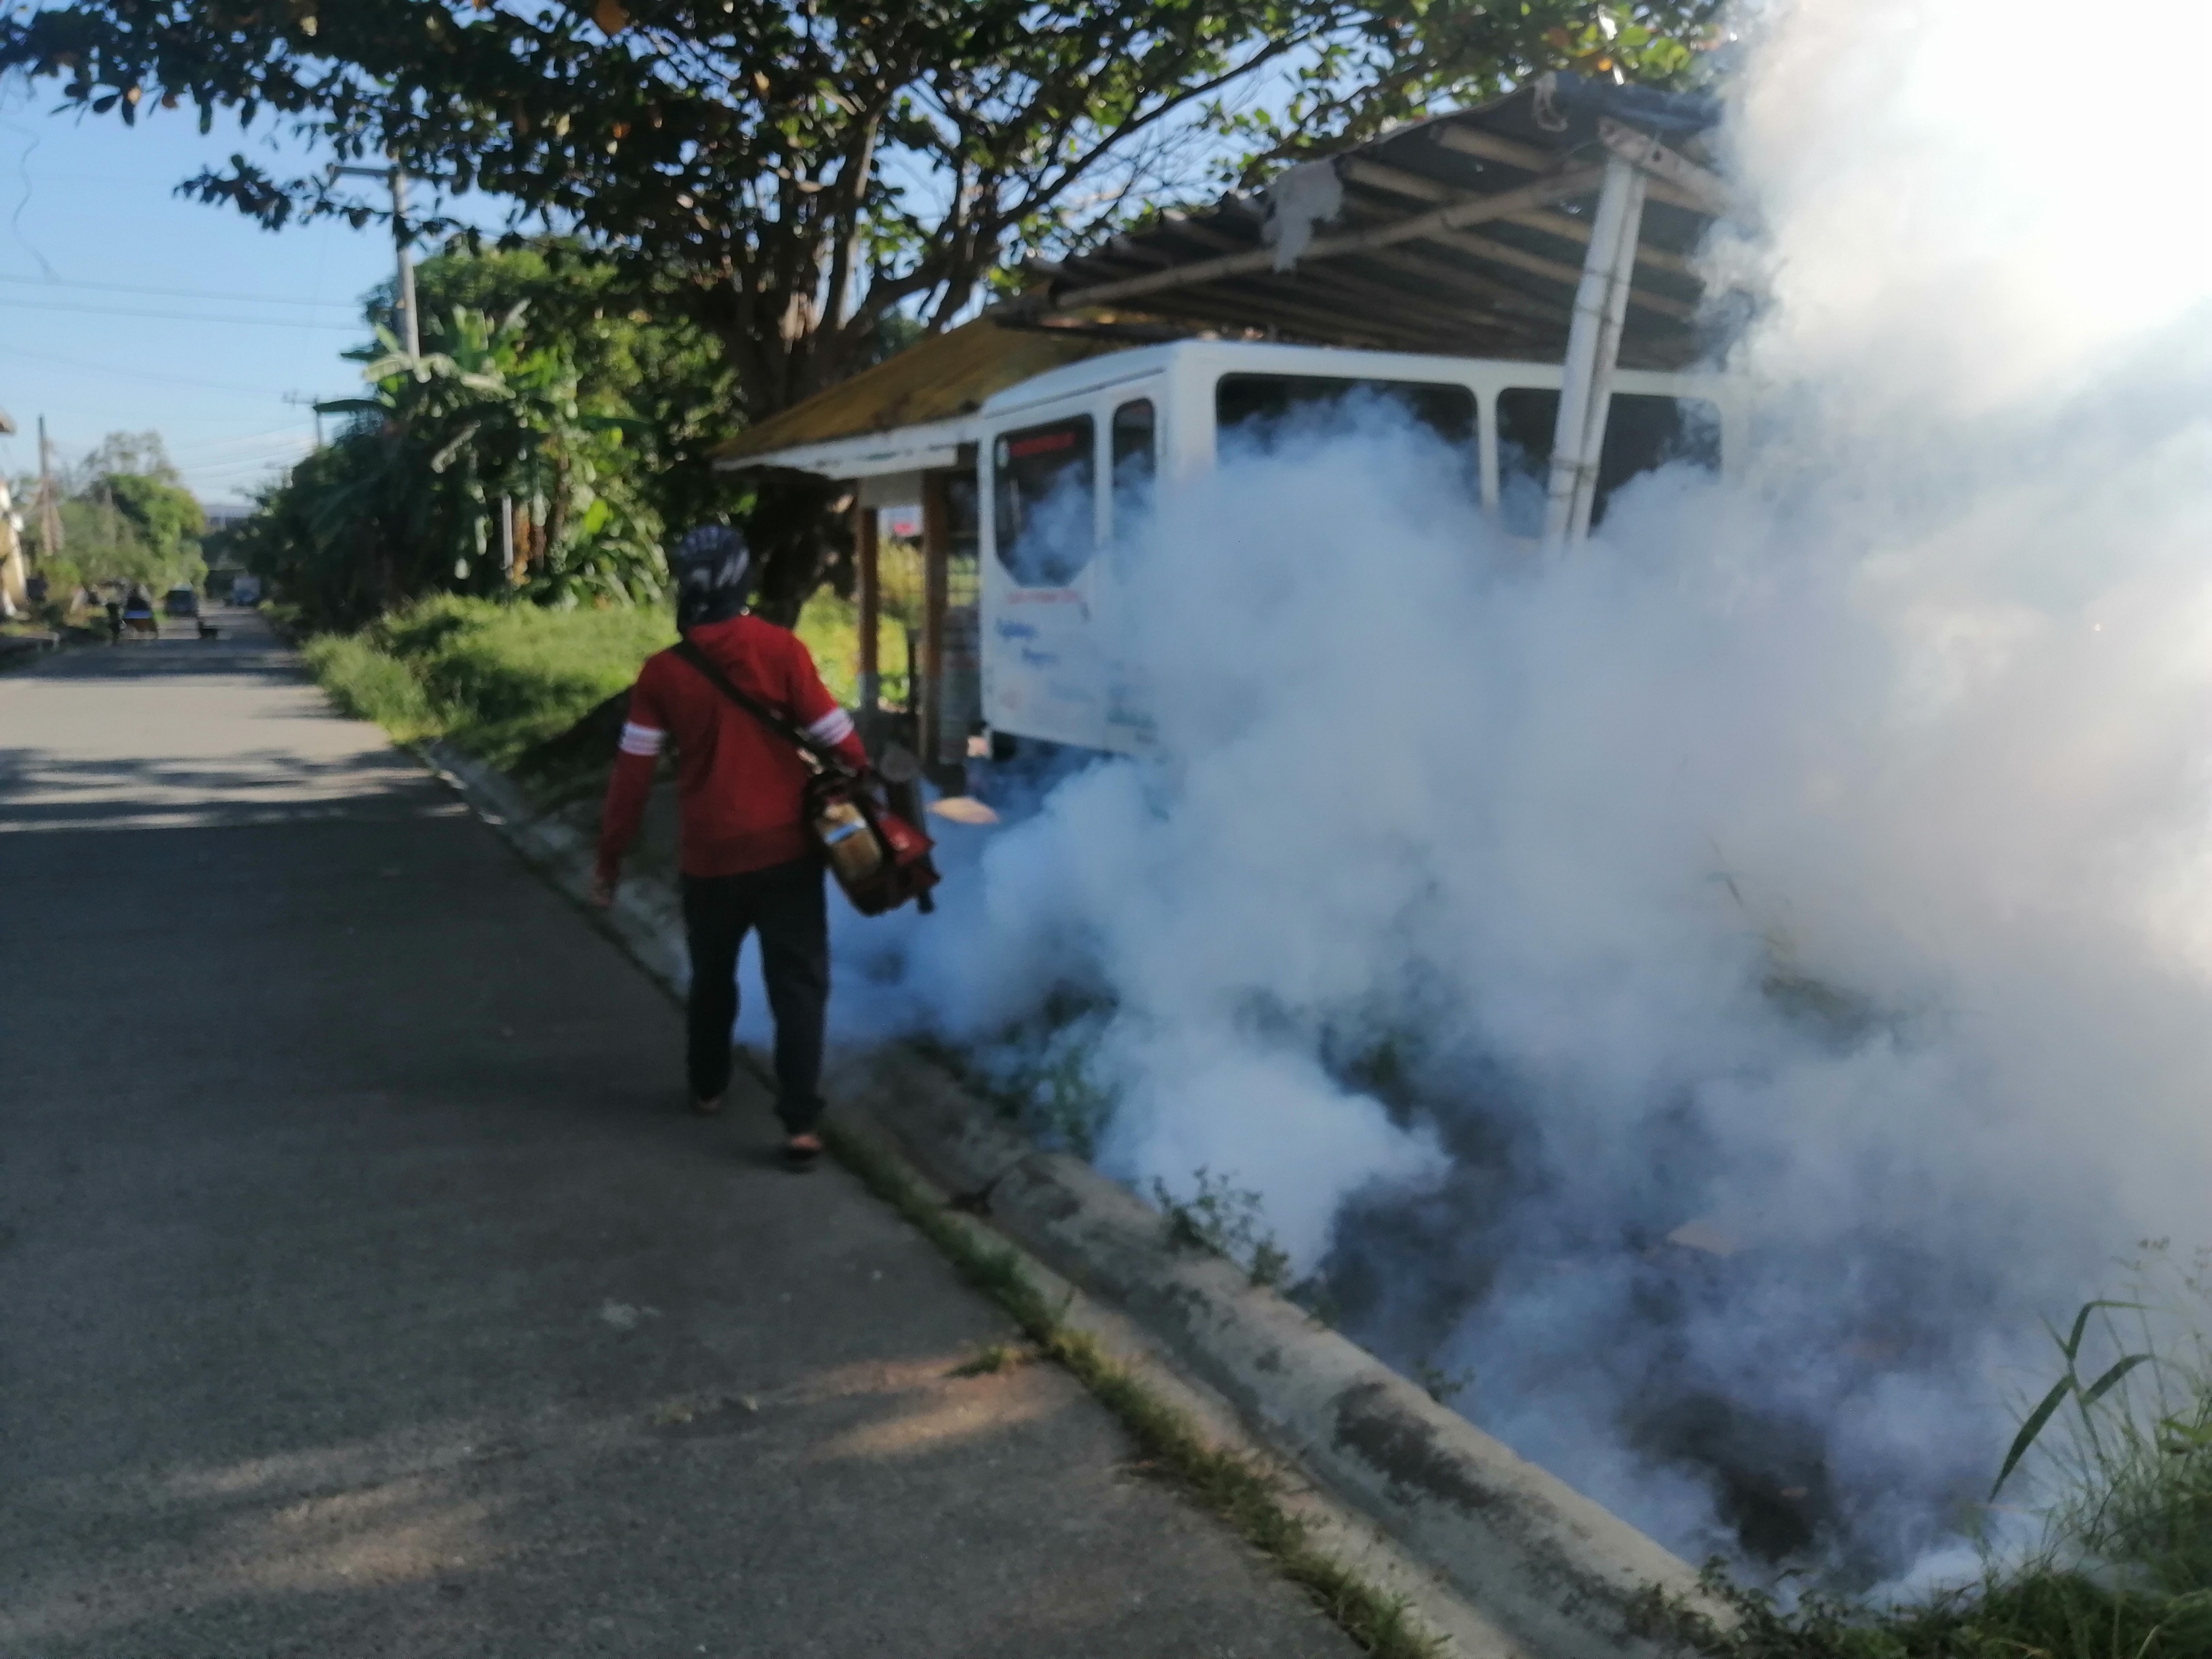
(1231, 1485)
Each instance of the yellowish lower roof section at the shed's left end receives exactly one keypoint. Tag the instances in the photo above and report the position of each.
(941, 379)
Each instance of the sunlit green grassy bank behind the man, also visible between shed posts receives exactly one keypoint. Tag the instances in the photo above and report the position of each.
(497, 678)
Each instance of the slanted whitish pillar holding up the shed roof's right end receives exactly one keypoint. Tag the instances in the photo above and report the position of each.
(1594, 351)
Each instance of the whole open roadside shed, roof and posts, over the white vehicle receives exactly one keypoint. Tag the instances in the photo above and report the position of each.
(1556, 225)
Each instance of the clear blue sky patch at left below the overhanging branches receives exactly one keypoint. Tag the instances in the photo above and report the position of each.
(125, 306)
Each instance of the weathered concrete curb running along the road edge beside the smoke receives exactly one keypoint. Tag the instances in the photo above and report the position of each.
(1543, 1572)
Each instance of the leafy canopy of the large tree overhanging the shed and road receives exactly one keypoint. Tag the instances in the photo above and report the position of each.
(802, 171)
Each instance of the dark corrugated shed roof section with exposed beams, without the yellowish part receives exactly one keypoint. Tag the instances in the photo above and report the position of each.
(1463, 233)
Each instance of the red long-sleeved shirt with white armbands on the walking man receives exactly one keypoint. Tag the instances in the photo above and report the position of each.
(740, 784)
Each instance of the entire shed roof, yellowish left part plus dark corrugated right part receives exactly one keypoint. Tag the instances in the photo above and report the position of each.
(1468, 231)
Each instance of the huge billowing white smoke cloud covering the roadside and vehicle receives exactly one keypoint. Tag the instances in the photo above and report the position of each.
(1819, 859)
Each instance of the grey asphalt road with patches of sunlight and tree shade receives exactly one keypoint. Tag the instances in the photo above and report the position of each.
(364, 1288)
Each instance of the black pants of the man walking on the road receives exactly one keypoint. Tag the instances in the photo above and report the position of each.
(786, 906)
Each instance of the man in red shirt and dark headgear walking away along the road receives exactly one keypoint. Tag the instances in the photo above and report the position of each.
(744, 846)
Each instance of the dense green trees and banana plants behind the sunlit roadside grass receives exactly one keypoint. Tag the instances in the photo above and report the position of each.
(545, 382)
